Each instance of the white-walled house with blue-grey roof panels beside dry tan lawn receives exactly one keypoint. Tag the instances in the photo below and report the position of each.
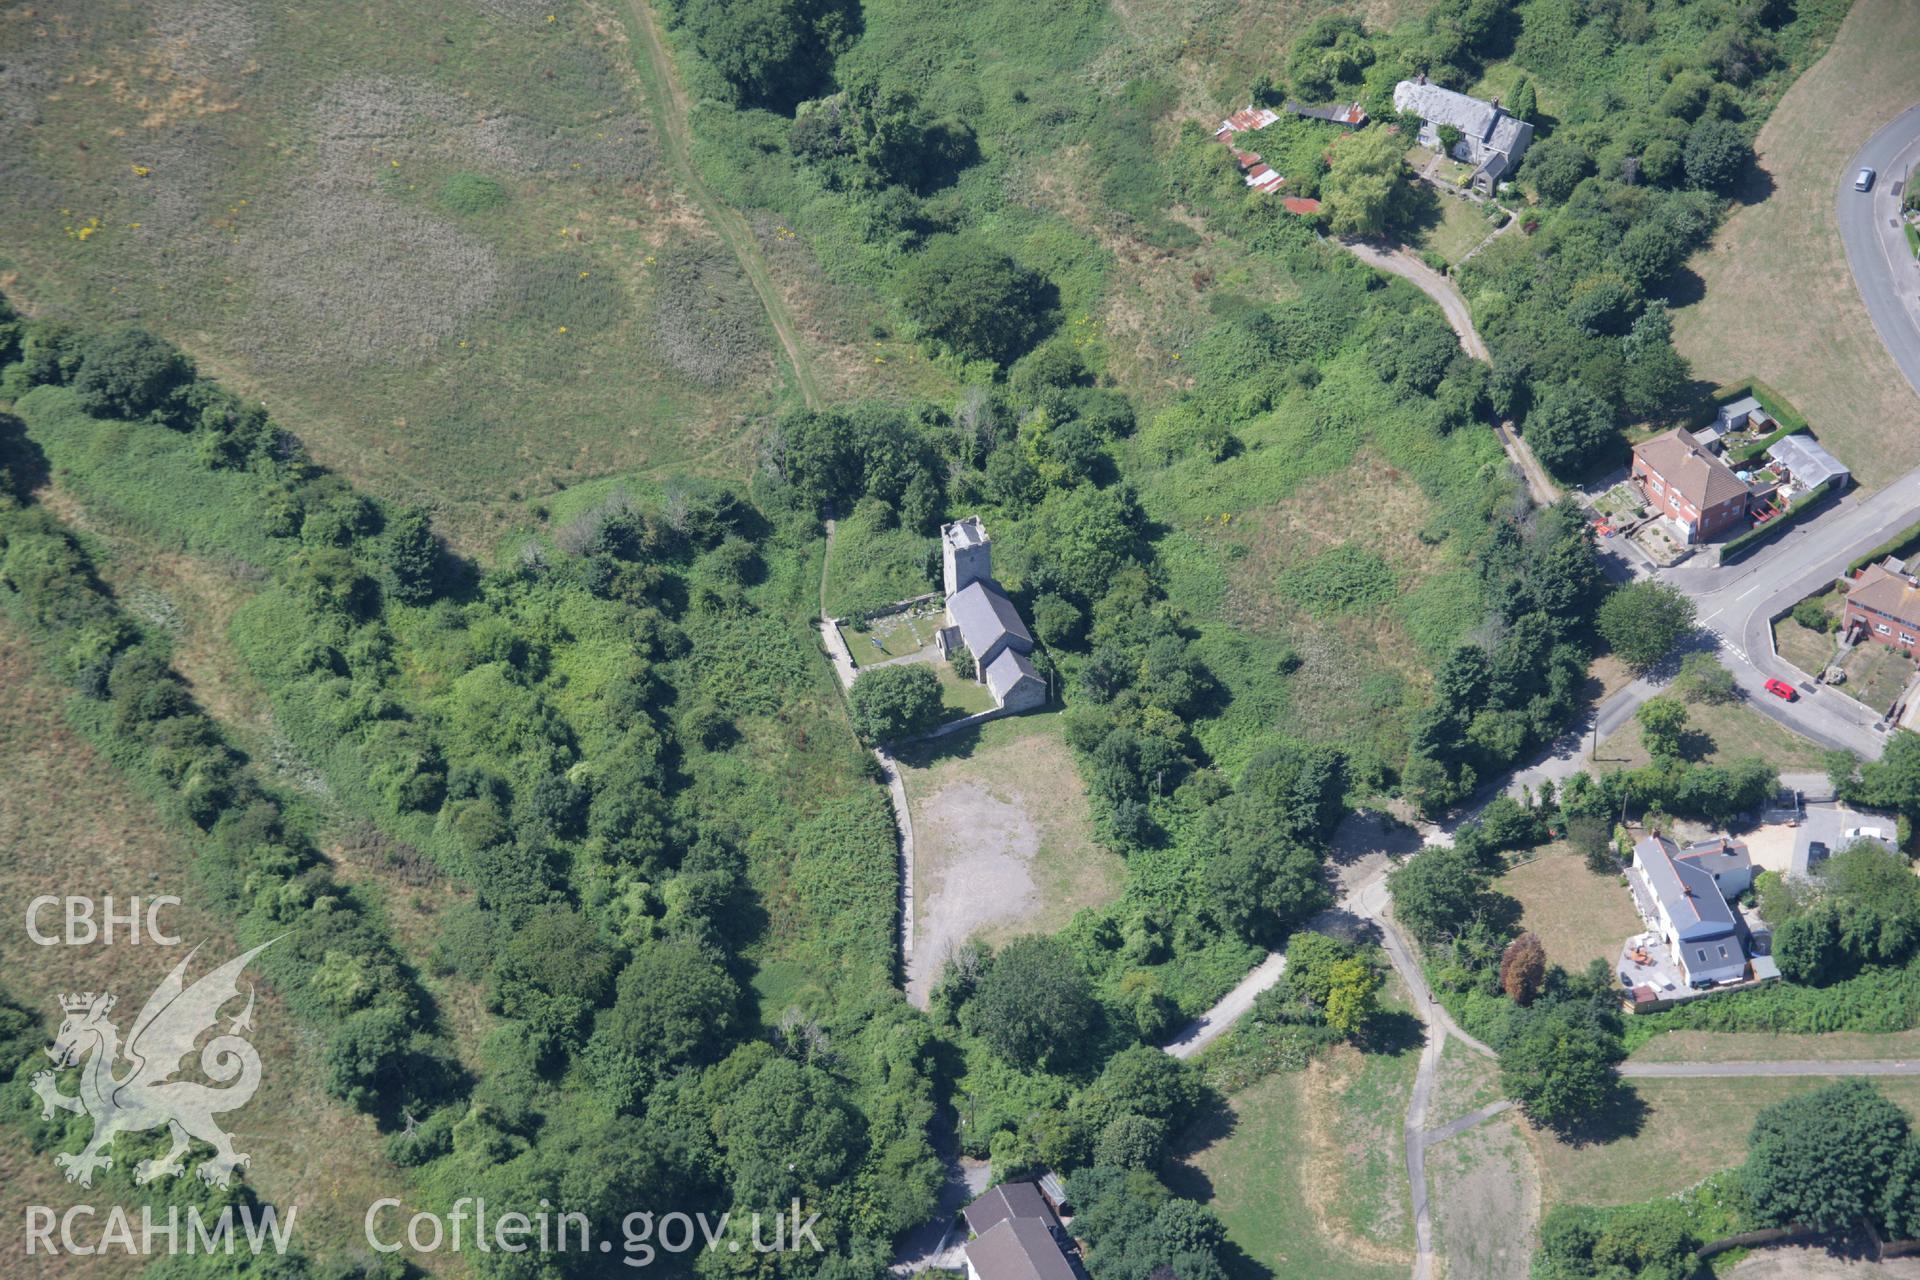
(1691, 909)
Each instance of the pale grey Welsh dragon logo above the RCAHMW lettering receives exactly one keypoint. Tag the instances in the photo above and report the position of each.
(145, 1097)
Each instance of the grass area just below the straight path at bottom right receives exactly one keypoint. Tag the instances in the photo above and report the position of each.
(1687, 1131)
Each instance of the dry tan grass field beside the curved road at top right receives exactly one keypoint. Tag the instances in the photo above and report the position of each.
(1821, 350)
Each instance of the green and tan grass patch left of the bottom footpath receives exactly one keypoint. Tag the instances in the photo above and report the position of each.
(1295, 1216)
